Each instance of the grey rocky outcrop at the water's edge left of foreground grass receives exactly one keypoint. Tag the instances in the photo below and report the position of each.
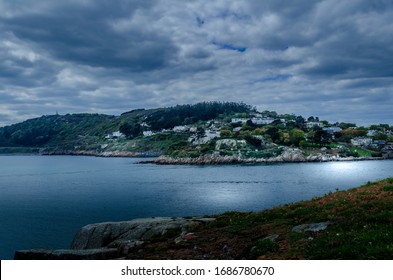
(113, 240)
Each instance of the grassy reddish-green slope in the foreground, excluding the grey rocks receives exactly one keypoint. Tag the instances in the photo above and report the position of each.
(361, 227)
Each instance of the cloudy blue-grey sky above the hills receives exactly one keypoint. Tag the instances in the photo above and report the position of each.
(329, 58)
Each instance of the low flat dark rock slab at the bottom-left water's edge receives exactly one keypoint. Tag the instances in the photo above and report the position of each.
(91, 254)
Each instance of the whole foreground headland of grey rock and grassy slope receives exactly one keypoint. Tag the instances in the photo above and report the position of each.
(352, 224)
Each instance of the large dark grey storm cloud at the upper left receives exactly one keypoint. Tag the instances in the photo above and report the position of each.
(87, 35)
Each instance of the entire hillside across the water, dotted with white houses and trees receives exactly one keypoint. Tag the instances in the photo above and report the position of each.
(208, 132)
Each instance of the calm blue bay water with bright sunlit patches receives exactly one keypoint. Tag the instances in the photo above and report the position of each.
(44, 200)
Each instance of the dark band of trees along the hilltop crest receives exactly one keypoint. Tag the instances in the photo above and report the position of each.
(189, 114)
